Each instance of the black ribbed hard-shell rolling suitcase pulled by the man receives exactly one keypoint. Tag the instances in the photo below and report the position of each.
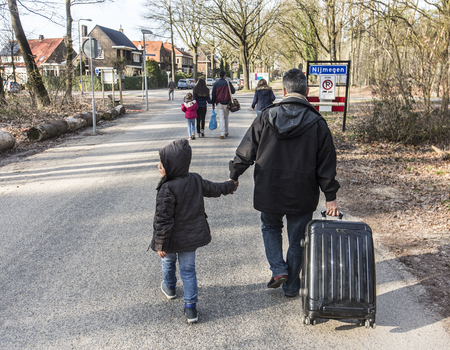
(338, 273)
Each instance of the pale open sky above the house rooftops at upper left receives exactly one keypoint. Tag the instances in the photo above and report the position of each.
(127, 13)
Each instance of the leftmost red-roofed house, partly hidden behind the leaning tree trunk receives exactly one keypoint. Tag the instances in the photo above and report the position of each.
(49, 55)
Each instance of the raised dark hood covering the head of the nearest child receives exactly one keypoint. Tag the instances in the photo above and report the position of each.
(176, 158)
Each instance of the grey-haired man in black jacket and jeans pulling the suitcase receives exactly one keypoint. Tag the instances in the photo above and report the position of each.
(295, 156)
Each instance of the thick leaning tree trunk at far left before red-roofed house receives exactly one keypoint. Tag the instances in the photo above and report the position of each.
(34, 77)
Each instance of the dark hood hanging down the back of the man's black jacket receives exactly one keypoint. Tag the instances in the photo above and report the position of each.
(290, 121)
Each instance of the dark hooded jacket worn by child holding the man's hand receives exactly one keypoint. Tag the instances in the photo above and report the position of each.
(180, 220)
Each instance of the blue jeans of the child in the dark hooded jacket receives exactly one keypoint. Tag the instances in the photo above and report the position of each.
(186, 262)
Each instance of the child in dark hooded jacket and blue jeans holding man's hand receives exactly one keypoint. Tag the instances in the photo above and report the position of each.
(180, 225)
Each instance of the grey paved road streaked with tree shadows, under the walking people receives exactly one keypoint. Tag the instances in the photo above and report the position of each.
(75, 223)
